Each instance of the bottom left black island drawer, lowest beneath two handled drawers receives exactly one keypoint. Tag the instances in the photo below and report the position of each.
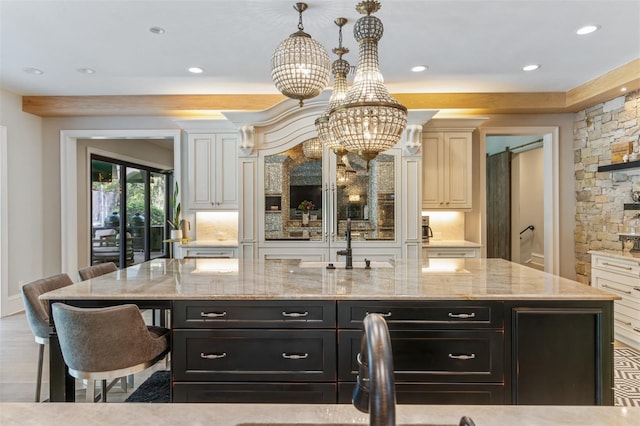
(266, 393)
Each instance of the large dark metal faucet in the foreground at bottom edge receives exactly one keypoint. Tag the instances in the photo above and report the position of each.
(375, 389)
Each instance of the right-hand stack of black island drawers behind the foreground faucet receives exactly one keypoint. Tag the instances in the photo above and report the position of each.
(449, 352)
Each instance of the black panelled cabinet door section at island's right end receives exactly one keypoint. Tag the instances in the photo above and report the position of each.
(561, 353)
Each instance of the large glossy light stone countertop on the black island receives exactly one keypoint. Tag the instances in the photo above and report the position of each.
(234, 279)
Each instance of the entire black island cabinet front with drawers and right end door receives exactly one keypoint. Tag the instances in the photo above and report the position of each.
(445, 351)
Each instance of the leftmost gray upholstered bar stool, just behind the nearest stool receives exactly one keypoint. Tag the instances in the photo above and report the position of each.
(37, 313)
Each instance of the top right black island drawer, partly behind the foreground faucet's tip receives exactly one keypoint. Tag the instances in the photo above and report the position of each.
(423, 315)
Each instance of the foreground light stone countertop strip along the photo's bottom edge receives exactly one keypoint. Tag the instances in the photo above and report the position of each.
(28, 414)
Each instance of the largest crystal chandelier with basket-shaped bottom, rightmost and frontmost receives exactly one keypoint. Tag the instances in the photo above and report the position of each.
(370, 120)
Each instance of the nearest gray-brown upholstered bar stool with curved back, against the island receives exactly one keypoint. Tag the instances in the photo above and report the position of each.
(107, 343)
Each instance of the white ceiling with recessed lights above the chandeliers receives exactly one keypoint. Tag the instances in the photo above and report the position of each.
(469, 45)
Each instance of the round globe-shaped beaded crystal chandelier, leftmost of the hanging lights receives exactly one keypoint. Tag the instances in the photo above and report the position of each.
(300, 65)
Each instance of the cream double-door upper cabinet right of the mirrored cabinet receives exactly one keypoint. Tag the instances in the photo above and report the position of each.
(446, 170)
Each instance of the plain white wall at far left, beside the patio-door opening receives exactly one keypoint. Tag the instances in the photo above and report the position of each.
(26, 207)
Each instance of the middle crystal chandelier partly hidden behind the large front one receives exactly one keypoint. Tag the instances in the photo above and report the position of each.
(340, 68)
